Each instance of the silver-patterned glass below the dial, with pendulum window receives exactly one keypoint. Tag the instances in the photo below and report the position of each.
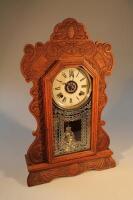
(72, 129)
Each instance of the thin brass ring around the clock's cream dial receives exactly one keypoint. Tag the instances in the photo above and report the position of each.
(82, 103)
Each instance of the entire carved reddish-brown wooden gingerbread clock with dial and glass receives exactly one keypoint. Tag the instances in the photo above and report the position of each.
(68, 75)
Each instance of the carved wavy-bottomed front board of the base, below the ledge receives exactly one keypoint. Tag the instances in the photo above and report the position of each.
(45, 176)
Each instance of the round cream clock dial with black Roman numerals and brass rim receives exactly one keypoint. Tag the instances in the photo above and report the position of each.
(71, 87)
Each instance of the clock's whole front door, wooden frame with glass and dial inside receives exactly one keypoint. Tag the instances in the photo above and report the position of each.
(70, 103)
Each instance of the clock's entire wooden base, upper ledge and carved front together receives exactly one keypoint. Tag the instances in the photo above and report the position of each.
(44, 172)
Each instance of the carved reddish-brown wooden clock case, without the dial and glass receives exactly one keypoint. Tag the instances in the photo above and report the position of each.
(68, 45)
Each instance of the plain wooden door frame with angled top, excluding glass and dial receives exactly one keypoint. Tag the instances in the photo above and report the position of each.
(47, 102)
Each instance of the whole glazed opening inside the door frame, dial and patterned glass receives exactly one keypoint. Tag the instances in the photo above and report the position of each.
(72, 106)
